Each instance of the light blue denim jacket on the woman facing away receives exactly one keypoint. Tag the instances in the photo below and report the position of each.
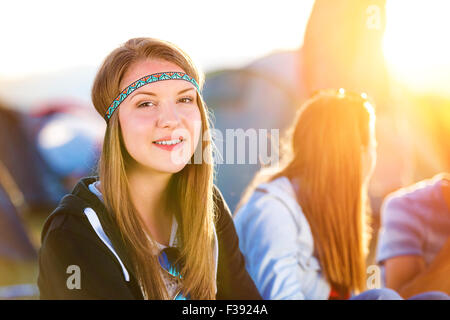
(278, 246)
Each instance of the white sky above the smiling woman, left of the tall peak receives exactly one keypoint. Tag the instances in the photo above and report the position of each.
(46, 36)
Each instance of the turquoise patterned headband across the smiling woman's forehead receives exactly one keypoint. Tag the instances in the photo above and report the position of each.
(171, 75)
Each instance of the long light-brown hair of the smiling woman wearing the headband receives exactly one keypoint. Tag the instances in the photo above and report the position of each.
(192, 186)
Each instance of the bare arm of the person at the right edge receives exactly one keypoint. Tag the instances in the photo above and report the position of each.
(417, 277)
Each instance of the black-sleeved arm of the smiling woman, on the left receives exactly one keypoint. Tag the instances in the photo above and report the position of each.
(75, 266)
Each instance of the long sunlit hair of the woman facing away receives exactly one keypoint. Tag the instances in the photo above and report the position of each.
(322, 151)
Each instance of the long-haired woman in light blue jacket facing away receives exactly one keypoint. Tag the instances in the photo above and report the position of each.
(302, 226)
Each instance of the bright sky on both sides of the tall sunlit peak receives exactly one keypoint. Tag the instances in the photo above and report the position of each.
(44, 40)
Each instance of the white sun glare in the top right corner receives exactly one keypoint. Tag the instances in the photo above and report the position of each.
(416, 43)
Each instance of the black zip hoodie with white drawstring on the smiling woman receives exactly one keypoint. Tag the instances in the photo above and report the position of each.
(68, 239)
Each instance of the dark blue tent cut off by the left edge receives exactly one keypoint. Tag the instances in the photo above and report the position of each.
(20, 178)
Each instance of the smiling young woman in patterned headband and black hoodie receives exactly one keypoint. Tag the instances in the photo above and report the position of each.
(152, 224)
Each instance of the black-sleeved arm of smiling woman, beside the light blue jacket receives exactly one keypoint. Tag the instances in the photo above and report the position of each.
(233, 281)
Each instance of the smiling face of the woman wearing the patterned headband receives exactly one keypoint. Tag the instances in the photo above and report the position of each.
(165, 111)
